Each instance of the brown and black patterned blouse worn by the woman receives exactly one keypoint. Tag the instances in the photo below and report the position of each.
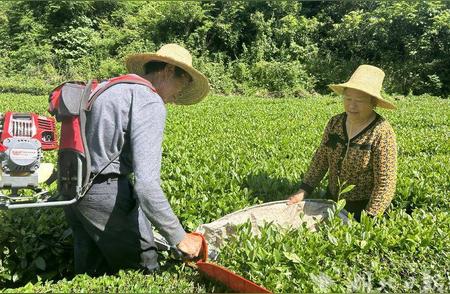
(370, 163)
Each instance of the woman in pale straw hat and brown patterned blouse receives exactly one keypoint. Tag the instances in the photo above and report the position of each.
(358, 148)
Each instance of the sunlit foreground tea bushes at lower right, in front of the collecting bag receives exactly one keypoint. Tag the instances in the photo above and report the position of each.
(399, 253)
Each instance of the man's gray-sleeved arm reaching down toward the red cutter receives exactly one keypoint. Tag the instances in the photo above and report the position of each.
(147, 122)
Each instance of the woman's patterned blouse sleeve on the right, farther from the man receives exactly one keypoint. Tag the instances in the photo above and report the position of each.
(384, 170)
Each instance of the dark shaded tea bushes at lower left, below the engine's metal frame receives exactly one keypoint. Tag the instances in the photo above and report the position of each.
(34, 242)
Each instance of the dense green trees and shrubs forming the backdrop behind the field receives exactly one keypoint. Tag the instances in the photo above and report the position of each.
(251, 47)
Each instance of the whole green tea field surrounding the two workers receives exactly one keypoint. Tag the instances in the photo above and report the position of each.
(227, 153)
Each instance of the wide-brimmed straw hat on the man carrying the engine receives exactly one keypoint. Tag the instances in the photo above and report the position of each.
(176, 55)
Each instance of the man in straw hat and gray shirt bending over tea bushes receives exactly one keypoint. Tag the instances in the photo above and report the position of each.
(112, 224)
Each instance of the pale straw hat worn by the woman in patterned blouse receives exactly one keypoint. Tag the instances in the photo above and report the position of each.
(368, 79)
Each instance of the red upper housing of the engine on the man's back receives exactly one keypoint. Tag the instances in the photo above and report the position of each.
(30, 125)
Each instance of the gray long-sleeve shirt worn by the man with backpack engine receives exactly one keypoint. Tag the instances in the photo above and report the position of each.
(130, 118)
